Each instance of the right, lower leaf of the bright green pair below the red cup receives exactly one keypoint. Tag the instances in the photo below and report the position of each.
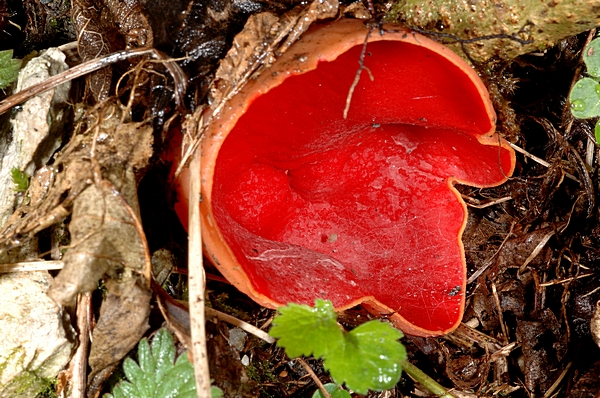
(368, 359)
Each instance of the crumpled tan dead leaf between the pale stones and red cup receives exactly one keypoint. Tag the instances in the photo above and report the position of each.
(106, 235)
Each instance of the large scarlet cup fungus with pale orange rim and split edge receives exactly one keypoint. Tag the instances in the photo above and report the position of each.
(300, 203)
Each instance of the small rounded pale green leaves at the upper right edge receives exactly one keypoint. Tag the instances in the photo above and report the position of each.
(585, 95)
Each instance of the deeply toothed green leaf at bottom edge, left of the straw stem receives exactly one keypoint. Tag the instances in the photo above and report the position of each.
(158, 374)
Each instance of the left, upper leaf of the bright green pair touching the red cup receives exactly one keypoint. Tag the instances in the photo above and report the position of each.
(303, 330)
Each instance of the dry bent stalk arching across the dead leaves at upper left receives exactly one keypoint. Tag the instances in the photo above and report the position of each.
(97, 64)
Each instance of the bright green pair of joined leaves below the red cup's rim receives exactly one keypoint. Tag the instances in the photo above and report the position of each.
(367, 358)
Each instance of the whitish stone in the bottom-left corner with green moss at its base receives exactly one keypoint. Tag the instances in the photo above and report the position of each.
(34, 346)
